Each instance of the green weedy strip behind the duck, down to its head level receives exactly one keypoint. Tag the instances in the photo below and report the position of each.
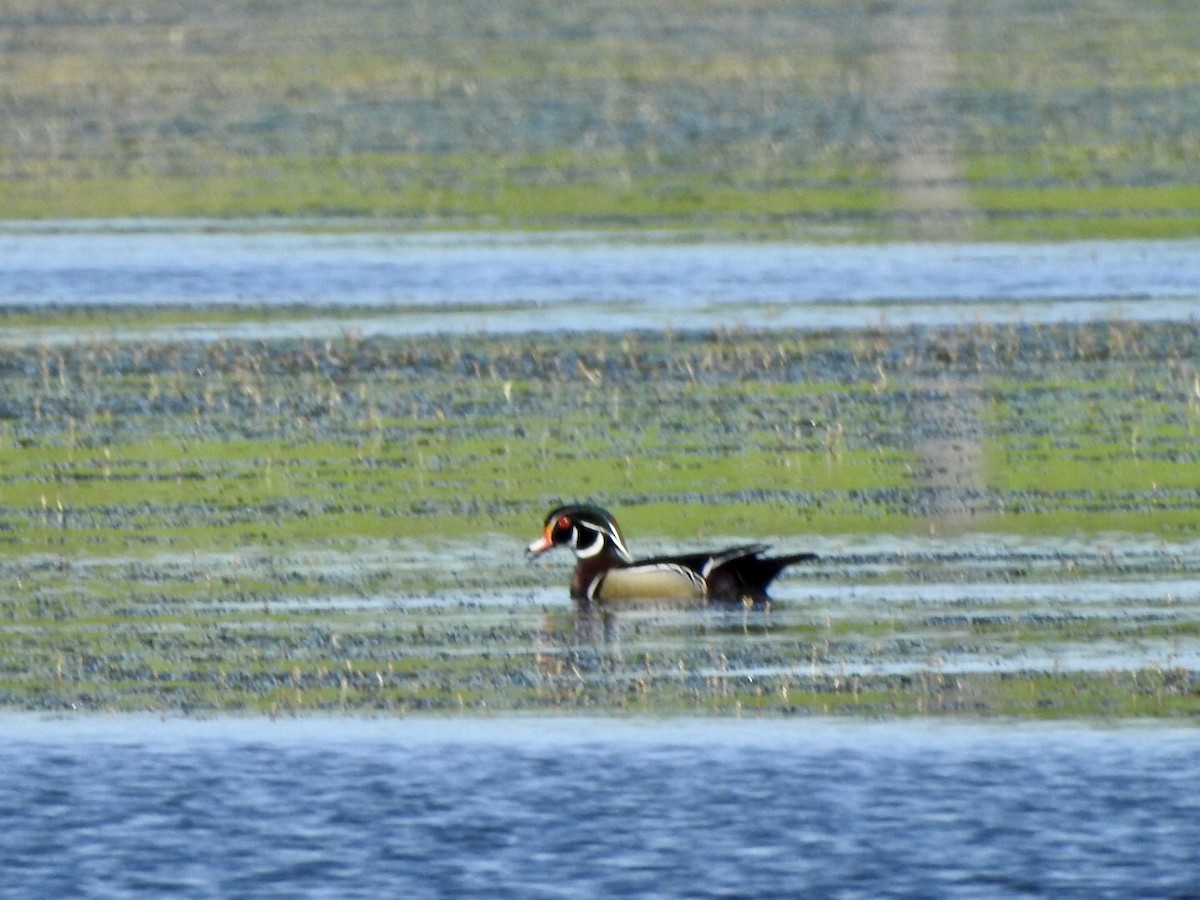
(290, 441)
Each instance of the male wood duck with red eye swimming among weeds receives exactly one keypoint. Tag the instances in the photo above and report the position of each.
(607, 573)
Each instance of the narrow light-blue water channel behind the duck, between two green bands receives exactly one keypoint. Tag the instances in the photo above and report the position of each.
(503, 284)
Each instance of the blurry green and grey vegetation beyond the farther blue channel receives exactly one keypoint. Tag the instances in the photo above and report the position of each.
(820, 119)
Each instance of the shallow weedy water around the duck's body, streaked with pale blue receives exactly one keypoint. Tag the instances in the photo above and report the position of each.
(880, 626)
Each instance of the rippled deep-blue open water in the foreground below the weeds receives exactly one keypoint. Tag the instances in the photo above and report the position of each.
(347, 808)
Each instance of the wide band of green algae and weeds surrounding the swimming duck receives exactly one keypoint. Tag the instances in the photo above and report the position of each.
(1009, 520)
